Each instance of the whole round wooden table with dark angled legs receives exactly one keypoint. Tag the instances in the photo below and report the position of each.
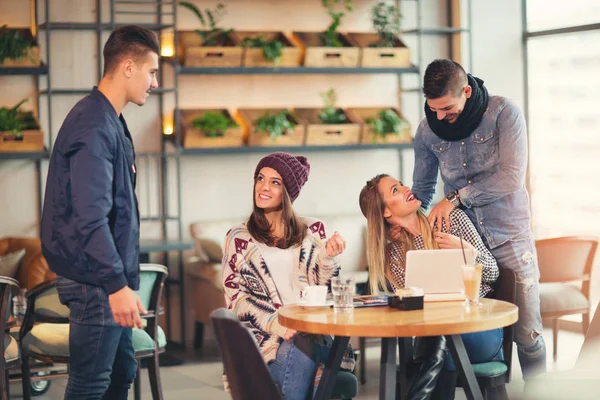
(450, 319)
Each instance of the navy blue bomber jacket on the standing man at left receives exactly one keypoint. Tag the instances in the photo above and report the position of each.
(90, 220)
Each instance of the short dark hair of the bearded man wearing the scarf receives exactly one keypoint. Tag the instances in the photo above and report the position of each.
(444, 76)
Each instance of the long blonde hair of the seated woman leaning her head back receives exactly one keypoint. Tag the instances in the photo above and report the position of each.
(378, 254)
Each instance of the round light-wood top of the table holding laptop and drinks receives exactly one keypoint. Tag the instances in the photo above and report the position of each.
(437, 318)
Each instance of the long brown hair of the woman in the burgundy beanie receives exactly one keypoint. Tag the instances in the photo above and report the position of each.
(294, 229)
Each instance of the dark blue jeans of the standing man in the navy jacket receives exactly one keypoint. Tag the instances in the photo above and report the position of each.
(102, 363)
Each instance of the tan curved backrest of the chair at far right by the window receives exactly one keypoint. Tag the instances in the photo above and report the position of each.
(566, 259)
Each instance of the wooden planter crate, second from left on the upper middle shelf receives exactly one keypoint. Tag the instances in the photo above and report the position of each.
(253, 57)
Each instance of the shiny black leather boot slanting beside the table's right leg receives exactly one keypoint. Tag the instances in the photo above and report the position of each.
(429, 371)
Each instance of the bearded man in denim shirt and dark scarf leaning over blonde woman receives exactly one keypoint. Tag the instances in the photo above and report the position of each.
(479, 144)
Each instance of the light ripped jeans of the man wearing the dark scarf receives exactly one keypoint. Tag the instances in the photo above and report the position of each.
(519, 255)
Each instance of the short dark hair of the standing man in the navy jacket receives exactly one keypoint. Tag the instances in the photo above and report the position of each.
(128, 41)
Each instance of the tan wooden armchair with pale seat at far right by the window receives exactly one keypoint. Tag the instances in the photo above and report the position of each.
(564, 261)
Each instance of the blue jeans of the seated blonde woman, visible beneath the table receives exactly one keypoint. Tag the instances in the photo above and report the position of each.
(481, 347)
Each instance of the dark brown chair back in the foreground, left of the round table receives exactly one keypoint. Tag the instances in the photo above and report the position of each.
(246, 371)
